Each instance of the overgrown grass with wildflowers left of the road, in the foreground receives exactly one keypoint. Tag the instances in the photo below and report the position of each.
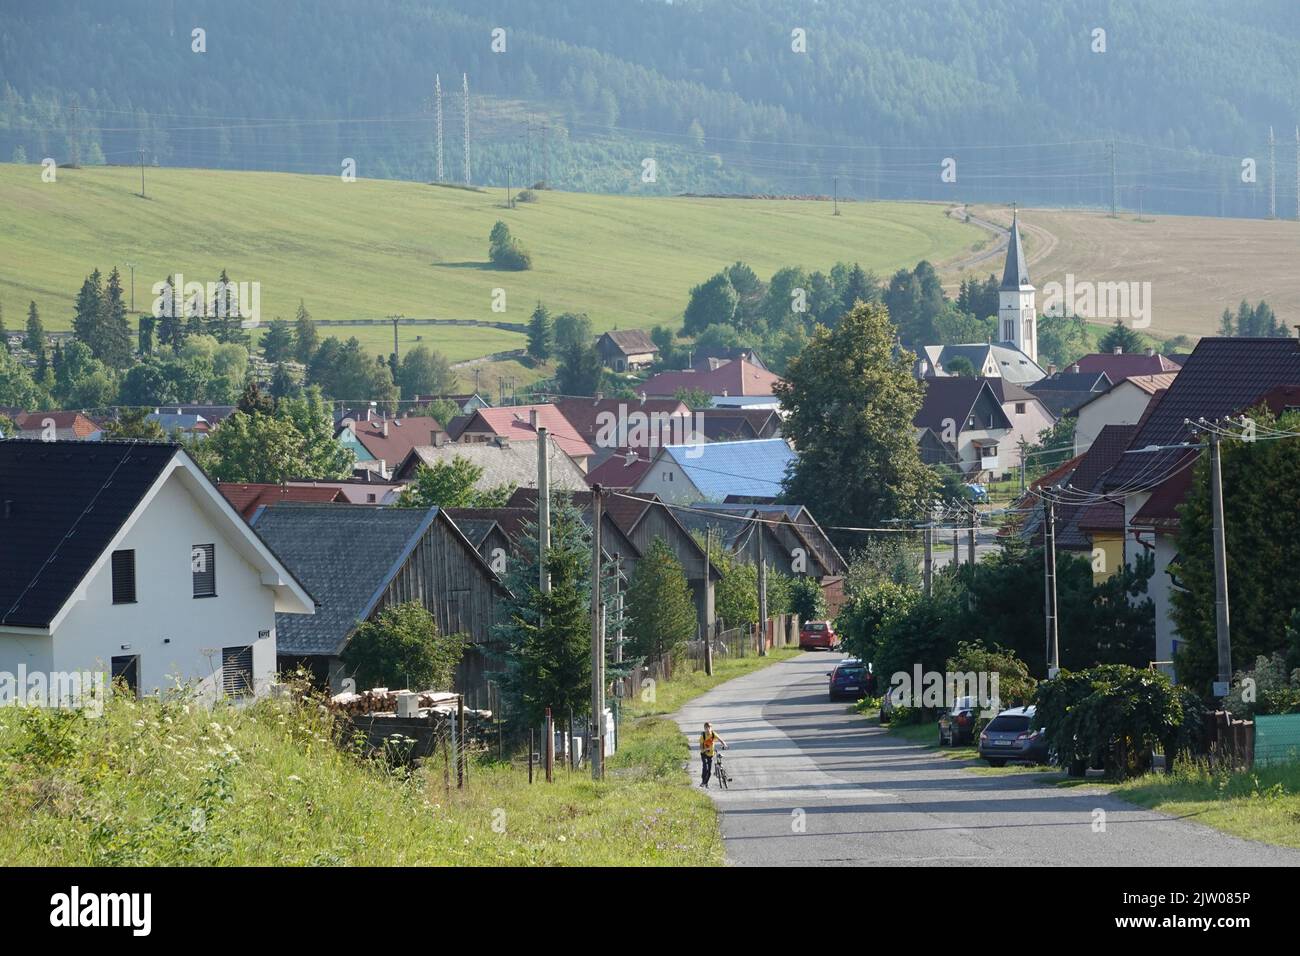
(174, 785)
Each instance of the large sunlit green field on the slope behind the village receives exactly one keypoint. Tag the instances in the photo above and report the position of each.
(370, 249)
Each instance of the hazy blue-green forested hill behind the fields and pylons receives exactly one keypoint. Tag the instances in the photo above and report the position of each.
(1013, 90)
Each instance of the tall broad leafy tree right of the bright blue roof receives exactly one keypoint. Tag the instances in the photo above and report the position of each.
(850, 400)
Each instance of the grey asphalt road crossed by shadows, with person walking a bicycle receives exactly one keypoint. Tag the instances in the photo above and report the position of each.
(816, 785)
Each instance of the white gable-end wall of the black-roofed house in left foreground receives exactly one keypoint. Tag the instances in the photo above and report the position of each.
(176, 635)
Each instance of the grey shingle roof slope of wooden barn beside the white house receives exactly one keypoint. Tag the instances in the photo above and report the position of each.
(345, 556)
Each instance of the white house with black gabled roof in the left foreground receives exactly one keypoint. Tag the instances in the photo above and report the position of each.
(123, 557)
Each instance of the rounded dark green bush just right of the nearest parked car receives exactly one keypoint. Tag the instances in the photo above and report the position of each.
(1116, 716)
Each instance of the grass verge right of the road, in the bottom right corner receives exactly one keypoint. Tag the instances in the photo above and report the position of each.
(1262, 804)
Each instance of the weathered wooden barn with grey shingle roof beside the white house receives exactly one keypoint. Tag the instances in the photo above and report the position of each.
(359, 560)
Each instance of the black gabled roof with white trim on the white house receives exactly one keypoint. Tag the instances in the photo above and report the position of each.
(70, 501)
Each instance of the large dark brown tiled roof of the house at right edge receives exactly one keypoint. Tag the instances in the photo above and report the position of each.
(1224, 377)
